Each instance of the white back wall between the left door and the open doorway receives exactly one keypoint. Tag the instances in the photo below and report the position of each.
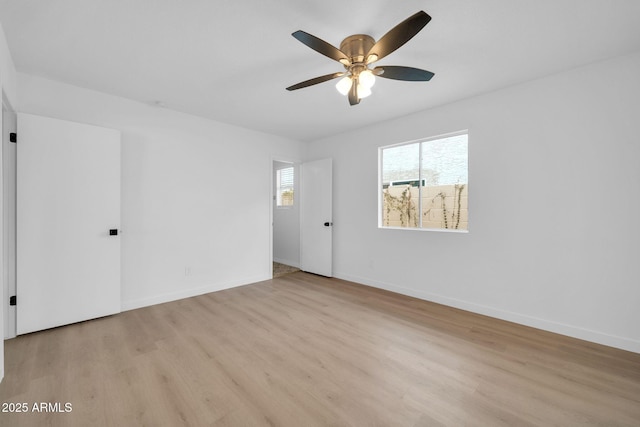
(195, 192)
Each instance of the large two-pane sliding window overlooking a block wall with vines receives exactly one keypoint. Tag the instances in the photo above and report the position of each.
(424, 184)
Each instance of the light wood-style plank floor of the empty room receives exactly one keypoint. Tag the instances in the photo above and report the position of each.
(302, 350)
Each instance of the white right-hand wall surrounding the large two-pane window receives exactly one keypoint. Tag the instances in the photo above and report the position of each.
(569, 140)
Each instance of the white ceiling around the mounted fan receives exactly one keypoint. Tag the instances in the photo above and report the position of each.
(232, 60)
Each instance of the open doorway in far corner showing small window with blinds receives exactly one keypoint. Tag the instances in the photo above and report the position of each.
(286, 217)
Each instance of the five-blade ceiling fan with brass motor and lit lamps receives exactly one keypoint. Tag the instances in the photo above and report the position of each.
(358, 51)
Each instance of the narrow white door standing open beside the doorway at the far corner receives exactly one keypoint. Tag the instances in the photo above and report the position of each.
(316, 217)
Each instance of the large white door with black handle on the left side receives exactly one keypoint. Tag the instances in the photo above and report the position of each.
(68, 201)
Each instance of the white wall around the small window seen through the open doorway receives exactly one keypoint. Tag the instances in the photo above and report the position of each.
(286, 223)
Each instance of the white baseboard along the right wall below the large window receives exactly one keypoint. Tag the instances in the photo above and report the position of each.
(534, 322)
